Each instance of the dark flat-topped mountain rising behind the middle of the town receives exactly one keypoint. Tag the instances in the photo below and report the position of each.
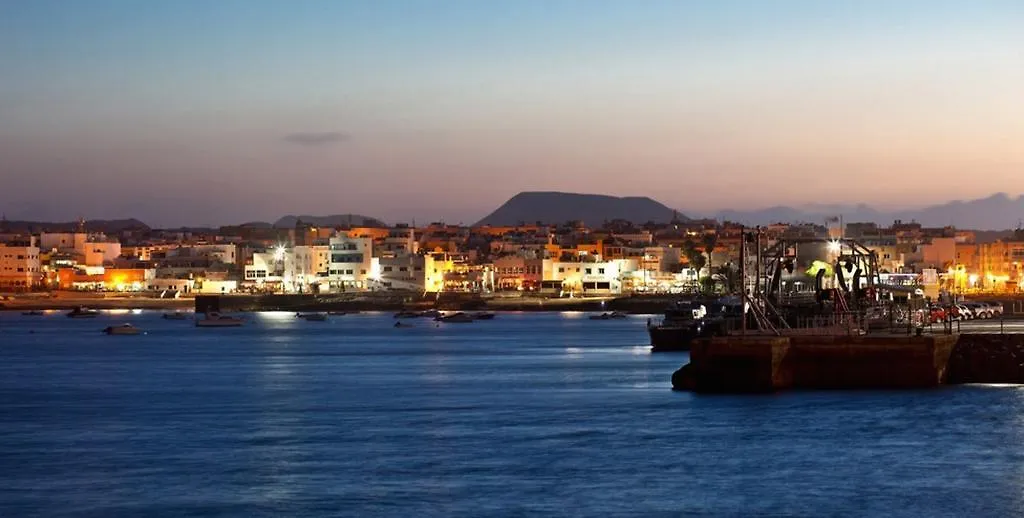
(591, 209)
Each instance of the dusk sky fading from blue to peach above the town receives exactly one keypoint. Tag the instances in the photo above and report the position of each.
(218, 112)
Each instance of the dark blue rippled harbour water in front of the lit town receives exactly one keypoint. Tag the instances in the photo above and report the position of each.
(526, 415)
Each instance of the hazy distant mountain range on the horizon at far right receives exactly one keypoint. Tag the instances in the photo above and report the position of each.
(993, 213)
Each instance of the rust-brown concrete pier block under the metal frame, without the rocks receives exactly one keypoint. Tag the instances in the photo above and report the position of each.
(767, 364)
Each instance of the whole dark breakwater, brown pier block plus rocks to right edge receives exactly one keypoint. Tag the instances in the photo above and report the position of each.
(759, 364)
